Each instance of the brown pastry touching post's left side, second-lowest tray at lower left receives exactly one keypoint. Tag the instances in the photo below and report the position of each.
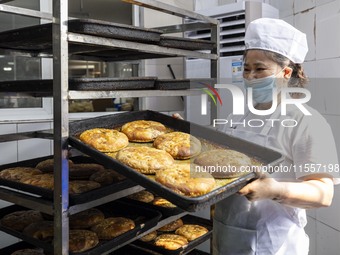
(42, 230)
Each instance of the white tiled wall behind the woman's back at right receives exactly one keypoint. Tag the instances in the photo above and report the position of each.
(319, 20)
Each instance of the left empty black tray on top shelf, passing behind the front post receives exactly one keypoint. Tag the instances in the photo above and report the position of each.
(39, 37)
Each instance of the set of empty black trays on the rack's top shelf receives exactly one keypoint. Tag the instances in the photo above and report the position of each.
(38, 39)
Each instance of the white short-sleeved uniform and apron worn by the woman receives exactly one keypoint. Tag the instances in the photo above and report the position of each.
(267, 227)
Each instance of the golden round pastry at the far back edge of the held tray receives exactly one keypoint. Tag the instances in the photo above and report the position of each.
(143, 130)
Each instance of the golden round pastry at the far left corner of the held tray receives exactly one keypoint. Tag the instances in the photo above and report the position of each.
(104, 140)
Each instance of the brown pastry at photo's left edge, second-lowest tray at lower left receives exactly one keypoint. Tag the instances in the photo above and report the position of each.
(20, 219)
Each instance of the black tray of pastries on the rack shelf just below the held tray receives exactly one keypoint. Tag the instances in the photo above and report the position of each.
(73, 198)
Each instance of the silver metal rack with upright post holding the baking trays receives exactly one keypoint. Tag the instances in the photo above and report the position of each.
(60, 207)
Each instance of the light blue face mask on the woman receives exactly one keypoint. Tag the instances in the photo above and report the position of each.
(262, 88)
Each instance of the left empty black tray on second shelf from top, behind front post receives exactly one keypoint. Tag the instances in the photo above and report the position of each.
(44, 87)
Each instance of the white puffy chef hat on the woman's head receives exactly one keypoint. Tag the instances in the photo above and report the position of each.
(278, 36)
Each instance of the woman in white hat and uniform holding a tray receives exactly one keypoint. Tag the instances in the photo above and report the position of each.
(268, 215)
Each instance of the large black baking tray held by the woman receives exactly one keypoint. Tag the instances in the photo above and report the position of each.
(265, 155)
